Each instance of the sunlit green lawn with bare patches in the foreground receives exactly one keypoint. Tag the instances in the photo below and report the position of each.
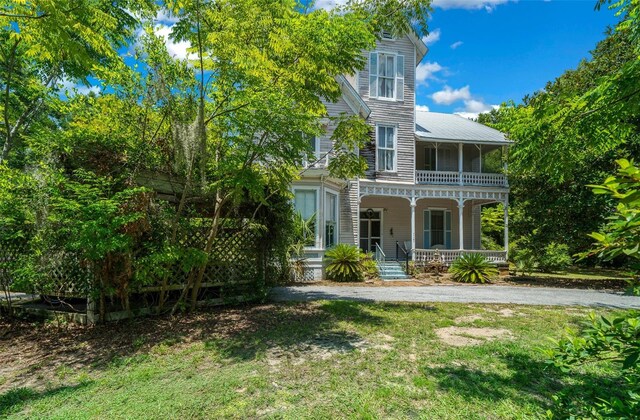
(319, 360)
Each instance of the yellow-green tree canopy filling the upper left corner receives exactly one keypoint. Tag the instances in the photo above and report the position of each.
(46, 42)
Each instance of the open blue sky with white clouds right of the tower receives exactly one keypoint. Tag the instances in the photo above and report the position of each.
(483, 53)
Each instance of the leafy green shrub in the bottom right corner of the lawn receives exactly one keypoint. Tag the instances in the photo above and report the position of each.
(603, 339)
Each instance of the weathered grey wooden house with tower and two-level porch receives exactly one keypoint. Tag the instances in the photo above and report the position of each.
(428, 173)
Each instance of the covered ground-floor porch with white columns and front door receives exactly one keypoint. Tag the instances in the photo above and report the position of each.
(420, 221)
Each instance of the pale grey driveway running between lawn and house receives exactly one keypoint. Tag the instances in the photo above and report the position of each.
(463, 294)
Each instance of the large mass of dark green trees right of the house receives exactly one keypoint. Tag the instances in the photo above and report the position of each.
(569, 135)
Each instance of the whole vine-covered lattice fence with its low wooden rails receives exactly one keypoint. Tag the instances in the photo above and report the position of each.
(241, 264)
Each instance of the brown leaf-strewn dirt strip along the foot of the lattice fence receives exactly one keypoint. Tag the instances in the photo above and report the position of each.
(37, 354)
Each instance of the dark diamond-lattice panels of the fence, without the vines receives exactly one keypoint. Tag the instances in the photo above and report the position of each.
(240, 263)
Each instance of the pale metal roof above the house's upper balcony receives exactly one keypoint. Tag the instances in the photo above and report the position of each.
(454, 128)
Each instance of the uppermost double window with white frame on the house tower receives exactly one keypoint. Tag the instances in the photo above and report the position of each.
(386, 76)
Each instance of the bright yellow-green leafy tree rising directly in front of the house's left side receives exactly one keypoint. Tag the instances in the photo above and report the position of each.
(262, 72)
